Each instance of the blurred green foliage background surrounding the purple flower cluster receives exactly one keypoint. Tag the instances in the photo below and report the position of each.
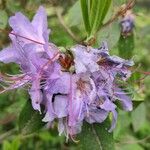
(133, 129)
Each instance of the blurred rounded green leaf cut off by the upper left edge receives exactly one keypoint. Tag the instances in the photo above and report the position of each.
(3, 19)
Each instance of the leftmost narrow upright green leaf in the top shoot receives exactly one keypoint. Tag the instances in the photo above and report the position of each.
(85, 14)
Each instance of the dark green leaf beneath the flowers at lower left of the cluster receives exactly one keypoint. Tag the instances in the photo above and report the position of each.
(30, 120)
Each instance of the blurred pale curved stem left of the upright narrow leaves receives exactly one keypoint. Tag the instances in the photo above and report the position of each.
(67, 29)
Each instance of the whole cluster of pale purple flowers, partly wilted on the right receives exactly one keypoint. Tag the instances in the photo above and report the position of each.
(87, 92)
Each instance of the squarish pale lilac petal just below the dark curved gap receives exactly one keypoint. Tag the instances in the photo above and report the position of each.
(61, 106)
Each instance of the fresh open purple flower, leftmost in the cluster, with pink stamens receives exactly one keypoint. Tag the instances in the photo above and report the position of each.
(37, 61)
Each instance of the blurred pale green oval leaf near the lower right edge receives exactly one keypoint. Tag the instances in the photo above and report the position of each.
(138, 117)
